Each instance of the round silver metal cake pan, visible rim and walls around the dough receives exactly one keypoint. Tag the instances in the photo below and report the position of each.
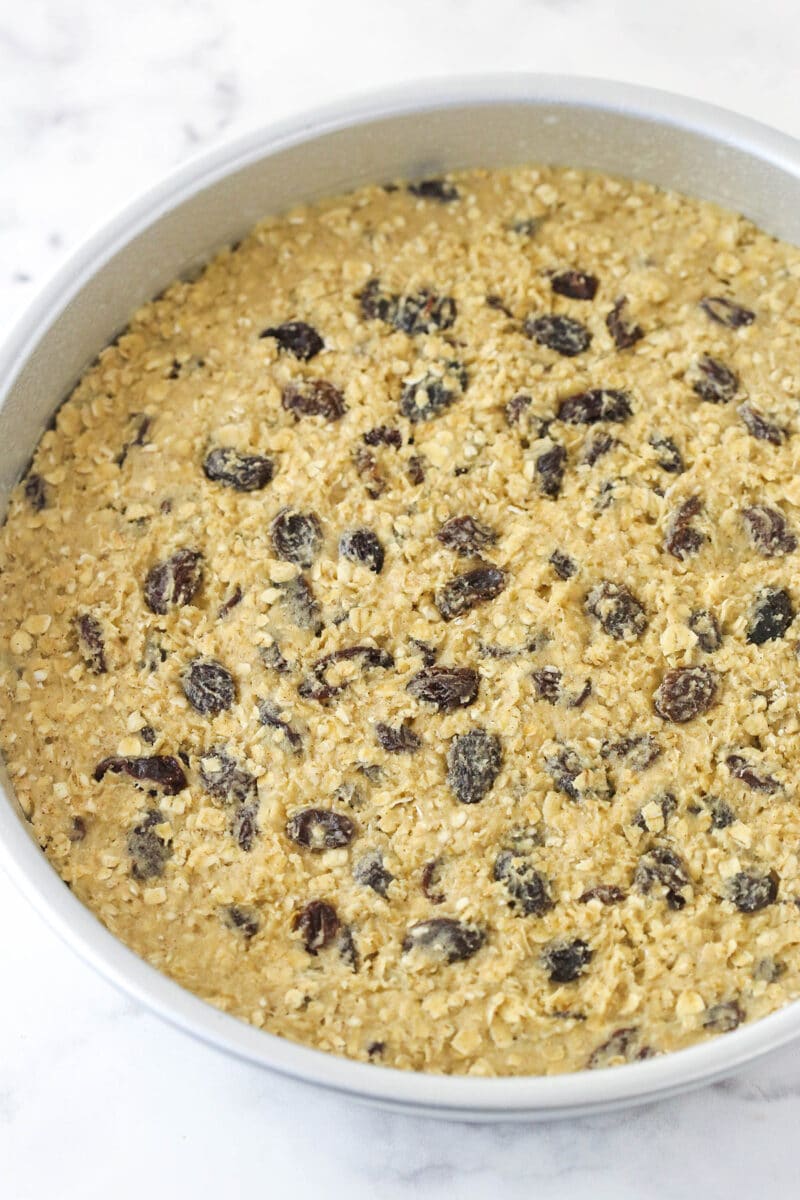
(416, 131)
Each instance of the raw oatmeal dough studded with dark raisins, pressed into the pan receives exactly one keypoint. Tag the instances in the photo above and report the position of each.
(399, 626)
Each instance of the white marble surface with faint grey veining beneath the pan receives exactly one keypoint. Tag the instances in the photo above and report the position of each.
(98, 1099)
